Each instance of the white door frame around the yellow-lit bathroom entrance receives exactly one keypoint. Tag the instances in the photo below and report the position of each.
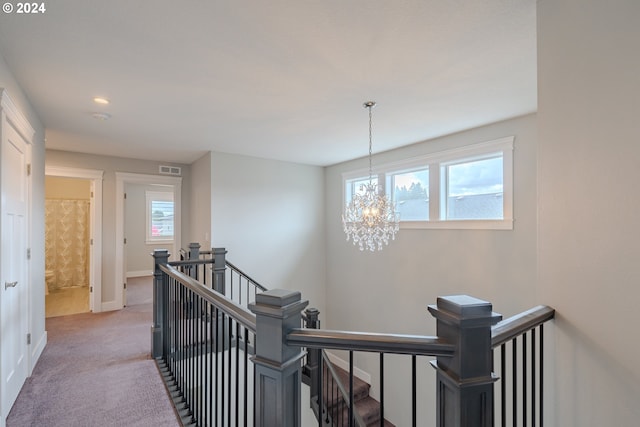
(95, 178)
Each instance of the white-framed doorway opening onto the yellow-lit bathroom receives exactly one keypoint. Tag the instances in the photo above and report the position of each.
(73, 240)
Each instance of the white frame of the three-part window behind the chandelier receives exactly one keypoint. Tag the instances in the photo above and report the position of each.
(434, 162)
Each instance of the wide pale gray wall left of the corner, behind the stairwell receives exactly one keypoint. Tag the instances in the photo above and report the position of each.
(269, 215)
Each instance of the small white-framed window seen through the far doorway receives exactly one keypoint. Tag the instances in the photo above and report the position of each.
(160, 216)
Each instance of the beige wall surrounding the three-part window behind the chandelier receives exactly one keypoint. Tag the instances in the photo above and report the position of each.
(389, 291)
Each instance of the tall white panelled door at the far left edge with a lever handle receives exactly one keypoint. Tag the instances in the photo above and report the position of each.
(13, 266)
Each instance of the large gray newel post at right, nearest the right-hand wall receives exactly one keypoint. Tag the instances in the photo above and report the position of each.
(465, 381)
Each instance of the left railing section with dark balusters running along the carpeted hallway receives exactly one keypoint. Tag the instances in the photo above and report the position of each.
(202, 343)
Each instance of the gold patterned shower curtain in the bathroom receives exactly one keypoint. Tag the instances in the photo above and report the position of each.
(67, 242)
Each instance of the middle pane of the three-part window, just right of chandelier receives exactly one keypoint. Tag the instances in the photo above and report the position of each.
(410, 190)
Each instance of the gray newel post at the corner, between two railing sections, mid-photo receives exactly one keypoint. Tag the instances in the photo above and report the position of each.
(277, 365)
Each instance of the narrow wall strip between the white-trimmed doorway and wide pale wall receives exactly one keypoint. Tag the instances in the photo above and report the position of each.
(200, 224)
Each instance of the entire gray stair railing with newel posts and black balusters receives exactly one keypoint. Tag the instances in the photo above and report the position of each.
(199, 335)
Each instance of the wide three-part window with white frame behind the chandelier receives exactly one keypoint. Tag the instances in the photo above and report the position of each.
(463, 188)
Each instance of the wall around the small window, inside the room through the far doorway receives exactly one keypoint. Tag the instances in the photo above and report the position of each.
(138, 262)
